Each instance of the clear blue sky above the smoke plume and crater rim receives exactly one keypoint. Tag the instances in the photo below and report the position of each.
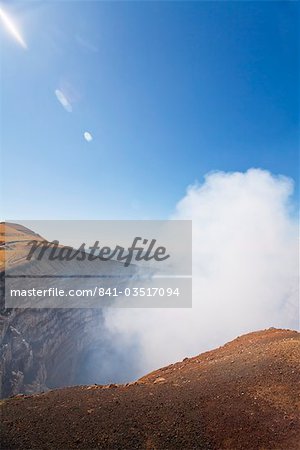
(168, 90)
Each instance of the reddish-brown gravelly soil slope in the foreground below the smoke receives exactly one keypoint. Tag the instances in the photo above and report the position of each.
(244, 395)
